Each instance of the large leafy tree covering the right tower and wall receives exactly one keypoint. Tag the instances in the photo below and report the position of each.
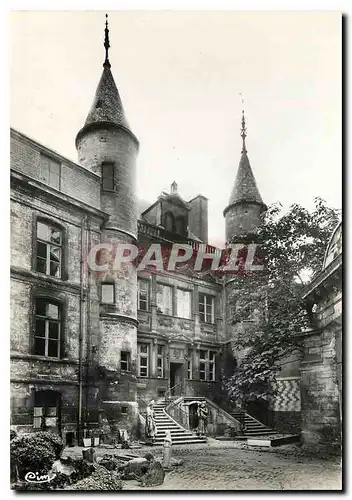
(293, 245)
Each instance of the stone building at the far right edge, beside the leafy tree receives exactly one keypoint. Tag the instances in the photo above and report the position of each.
(321, 366)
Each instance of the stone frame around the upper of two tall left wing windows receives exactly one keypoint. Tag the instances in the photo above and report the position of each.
(51, 221)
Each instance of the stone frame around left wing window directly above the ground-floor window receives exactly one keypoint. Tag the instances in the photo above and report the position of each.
(55, 297)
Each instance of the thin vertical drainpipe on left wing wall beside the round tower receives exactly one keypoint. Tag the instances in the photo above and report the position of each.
(81, 330)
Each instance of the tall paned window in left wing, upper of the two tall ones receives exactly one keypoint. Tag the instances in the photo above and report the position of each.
(49, 249)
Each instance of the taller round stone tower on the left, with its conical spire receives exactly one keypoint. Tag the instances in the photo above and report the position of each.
(107, 147)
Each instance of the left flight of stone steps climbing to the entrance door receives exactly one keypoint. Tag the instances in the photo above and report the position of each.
(179, 435)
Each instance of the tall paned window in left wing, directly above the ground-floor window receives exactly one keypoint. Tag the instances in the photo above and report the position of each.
(47, 328)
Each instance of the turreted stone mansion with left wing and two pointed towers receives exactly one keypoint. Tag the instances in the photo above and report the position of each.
(90, 349)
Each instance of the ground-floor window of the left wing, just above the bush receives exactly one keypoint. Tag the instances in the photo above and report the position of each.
(46, 409)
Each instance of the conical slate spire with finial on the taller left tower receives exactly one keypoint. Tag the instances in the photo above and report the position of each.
(107, 108)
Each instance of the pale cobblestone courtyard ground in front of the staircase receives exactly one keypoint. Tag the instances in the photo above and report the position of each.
(232, 467)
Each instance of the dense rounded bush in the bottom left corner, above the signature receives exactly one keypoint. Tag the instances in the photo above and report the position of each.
(34, 453)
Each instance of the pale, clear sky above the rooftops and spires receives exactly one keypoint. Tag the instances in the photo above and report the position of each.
(180, 75)
